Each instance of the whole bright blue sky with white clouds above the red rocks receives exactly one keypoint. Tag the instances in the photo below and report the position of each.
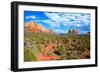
(60, 22)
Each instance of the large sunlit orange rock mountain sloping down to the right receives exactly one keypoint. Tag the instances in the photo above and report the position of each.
(34, 27)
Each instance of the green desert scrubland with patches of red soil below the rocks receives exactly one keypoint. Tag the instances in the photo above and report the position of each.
(44, 47)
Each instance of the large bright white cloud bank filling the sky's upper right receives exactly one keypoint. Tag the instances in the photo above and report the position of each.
(68, 19)
